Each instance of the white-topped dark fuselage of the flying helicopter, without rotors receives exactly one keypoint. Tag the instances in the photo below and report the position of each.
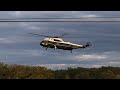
(58, 43)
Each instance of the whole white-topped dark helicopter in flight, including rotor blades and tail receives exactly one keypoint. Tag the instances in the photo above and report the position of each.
(57, 42)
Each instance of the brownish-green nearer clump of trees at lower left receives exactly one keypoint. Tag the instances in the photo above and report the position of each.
(24, 72)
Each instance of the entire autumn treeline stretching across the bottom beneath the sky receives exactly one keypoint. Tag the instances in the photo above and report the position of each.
(37, 72)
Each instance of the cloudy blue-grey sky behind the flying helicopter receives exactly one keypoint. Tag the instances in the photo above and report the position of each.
(18, 47)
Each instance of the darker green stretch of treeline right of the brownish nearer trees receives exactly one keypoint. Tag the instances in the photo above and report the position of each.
(89, 73)
